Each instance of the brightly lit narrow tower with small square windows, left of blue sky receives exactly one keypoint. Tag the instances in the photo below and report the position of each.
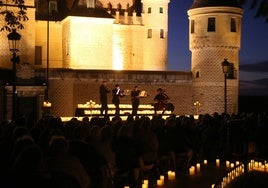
(155, 20)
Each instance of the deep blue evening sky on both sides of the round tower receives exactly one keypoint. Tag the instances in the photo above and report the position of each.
(253, 53)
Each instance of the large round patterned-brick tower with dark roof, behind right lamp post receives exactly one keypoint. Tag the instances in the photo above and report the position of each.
(214, 35)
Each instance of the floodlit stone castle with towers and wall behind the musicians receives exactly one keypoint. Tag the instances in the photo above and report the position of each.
(73, 45)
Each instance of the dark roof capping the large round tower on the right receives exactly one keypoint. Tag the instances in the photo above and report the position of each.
(212, 3)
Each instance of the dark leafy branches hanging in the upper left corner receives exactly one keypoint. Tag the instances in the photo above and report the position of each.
(13, 19)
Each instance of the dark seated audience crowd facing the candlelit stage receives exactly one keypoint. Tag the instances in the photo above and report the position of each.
(101, 152)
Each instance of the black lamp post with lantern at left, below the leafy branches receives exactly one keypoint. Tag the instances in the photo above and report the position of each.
(13, 39)
